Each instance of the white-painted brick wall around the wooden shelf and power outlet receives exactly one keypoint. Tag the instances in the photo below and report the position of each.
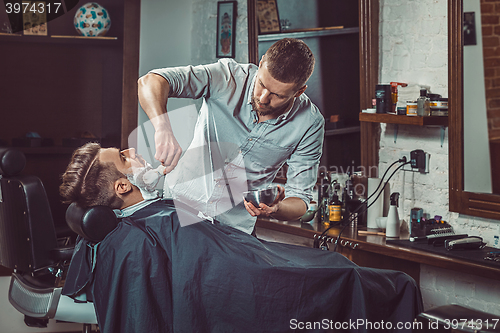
(413, 49)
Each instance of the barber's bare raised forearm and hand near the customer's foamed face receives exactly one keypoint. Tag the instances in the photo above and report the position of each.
(153, 95)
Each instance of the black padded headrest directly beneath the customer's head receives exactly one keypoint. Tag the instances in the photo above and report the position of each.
(92, 223)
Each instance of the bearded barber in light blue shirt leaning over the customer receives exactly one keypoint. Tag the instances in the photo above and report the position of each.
(252, 121)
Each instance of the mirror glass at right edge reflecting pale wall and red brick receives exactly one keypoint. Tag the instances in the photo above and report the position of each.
(481, 96)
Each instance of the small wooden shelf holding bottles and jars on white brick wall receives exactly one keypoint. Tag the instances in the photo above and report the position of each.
(403, 120)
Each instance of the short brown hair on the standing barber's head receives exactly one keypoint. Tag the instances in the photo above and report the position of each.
(290, 60)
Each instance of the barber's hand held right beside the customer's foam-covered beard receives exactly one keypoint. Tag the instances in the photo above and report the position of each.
(168, 150)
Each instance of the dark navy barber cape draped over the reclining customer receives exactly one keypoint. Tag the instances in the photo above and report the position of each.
(152, 275)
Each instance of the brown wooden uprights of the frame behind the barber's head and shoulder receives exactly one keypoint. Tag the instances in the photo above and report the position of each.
(368, 74)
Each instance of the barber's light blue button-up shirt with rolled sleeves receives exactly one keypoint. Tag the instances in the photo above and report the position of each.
(231, 152)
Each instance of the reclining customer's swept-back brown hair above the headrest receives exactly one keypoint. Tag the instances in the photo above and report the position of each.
(89, 182)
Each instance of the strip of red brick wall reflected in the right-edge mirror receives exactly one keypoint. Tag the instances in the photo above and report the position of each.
(490, 18)
